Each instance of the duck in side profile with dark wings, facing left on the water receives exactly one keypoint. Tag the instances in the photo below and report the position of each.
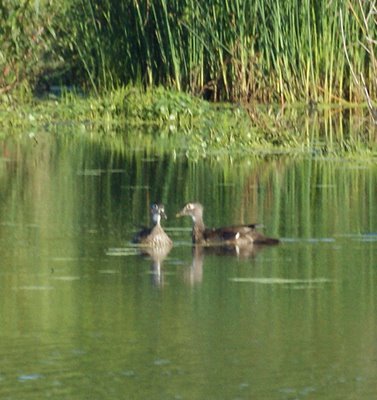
(240, 235)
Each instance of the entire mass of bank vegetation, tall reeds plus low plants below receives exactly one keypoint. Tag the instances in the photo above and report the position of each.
(155, 61)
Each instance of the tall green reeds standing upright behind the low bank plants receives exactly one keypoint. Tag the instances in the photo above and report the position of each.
(239, 50)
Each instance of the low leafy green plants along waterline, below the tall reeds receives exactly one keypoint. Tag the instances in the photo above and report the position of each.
(176, 122)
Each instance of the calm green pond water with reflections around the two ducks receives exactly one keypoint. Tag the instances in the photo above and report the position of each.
(84, 315)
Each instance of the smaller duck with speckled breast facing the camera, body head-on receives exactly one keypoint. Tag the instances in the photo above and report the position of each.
(154, 237)
